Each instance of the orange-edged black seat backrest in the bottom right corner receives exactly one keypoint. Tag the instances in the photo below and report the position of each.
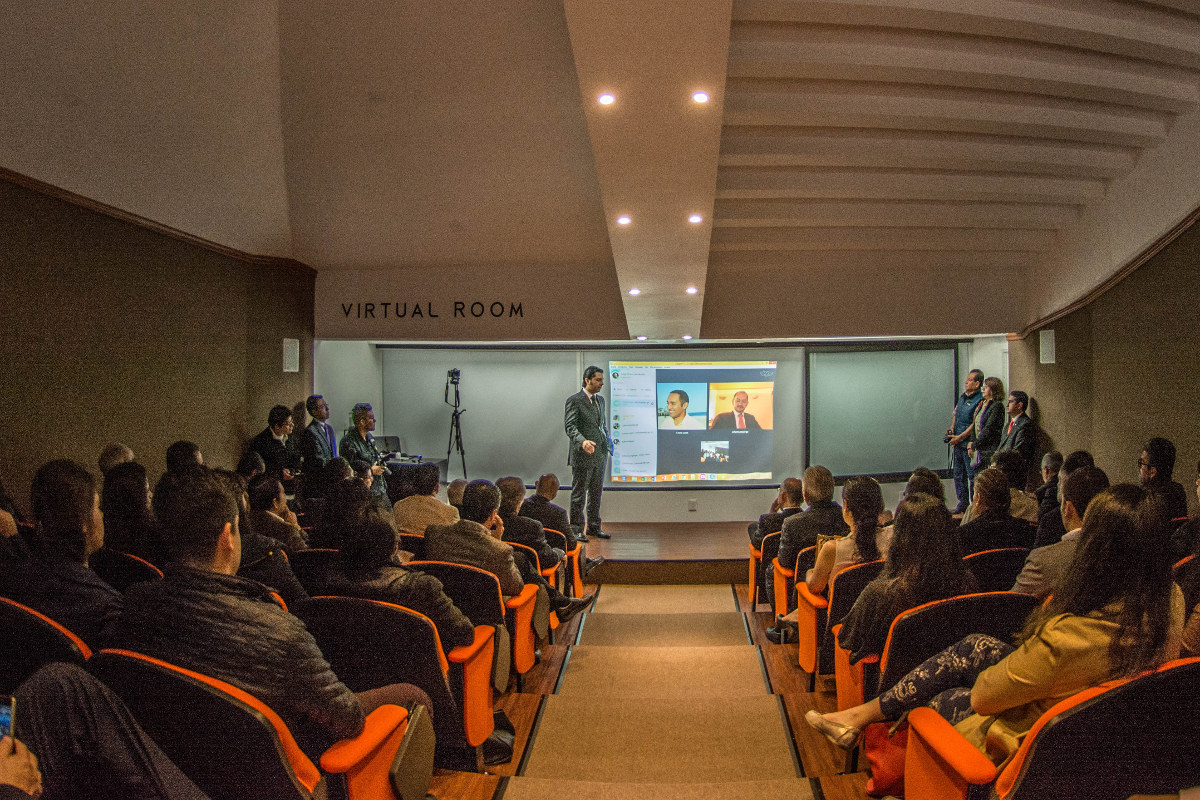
(1126, 738)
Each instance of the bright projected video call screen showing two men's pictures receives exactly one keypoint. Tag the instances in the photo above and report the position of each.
(692, 422)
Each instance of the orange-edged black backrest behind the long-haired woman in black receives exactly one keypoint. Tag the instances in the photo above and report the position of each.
(929, 629)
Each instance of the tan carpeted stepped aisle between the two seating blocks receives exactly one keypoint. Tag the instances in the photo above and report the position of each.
(663, 697)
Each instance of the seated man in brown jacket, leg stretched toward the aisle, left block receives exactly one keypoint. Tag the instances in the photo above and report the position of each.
(476, 540)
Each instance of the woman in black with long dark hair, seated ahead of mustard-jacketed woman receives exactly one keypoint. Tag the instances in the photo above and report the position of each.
(925, 564)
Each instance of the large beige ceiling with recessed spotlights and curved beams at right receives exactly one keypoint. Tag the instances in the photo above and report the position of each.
(861, 169)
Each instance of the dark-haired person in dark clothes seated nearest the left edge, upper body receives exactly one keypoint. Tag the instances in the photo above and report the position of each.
(52, 575)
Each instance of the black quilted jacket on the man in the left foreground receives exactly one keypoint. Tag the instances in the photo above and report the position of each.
(231, 629)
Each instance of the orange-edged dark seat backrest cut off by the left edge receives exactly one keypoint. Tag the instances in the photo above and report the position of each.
(31, 640)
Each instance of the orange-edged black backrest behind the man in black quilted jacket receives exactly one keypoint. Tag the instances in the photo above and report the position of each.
(227, 742)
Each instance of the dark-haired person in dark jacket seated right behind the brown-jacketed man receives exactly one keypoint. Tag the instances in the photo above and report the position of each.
(370, 570)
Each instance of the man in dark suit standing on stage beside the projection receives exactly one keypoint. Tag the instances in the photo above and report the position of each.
(587, 428)
